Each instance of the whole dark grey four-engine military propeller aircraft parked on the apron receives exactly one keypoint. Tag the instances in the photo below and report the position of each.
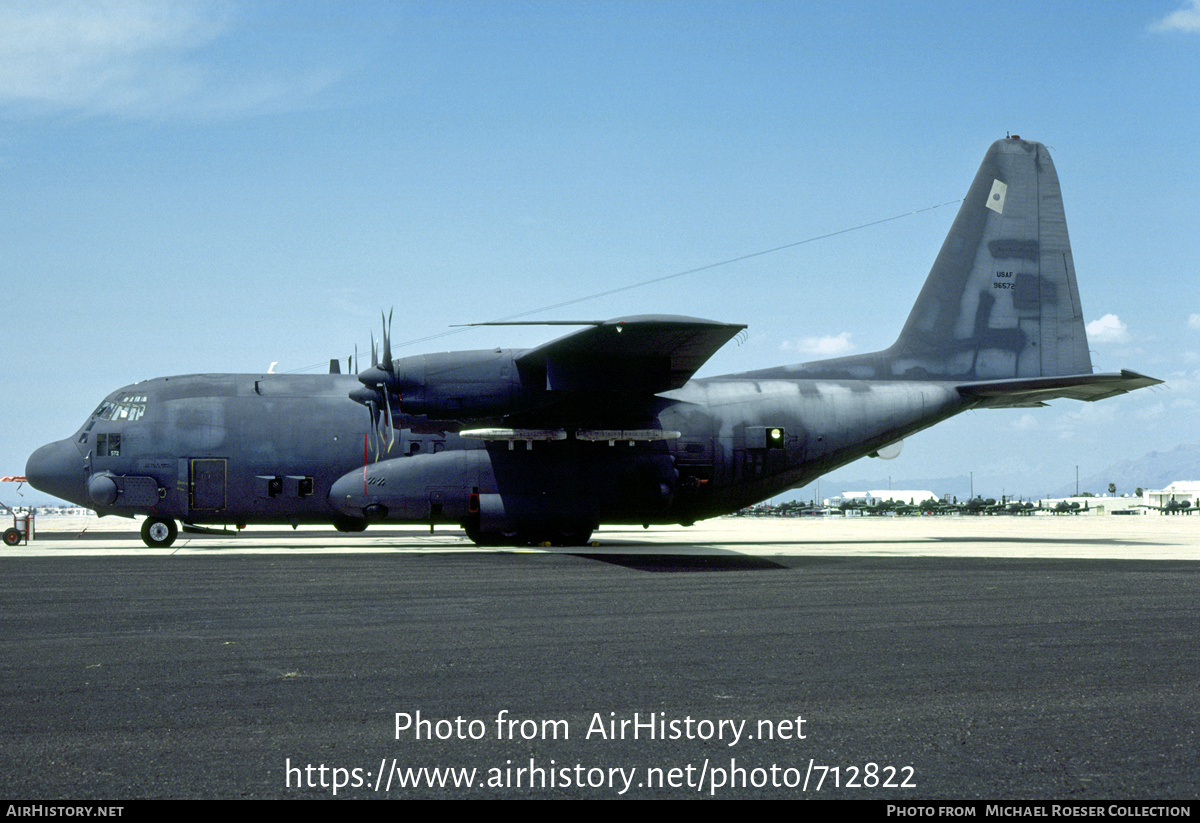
(605, 425)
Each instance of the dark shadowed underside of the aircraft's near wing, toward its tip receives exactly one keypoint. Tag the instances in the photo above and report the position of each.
(645, 355)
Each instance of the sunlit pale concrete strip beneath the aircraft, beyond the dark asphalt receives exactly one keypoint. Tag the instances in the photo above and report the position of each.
(1151, 537)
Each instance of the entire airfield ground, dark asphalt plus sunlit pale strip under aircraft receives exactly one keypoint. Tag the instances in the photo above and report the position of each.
(905, 659)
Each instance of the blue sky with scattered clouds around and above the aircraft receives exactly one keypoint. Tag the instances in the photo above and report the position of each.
(215, 187)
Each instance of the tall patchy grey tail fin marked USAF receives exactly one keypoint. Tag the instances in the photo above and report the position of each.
(1001, 301)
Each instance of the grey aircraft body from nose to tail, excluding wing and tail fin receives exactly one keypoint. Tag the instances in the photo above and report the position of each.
(241, 449)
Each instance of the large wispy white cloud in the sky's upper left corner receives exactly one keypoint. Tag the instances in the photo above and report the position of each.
(134, 58)
